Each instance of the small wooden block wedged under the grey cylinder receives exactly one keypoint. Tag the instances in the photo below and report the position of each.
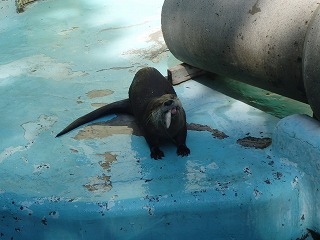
(183, 72)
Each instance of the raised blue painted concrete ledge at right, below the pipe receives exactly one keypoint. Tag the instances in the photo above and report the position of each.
(297, 139)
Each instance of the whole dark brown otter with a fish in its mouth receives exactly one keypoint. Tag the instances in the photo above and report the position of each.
(156, 107)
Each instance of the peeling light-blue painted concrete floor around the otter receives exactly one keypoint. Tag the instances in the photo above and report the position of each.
(55, 60)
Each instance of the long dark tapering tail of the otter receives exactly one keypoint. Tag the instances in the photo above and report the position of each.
(122, 106)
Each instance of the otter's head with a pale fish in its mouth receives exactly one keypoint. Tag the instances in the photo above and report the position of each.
(166, 110)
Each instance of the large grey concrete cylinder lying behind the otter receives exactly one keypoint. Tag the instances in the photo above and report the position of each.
(260, 42)
